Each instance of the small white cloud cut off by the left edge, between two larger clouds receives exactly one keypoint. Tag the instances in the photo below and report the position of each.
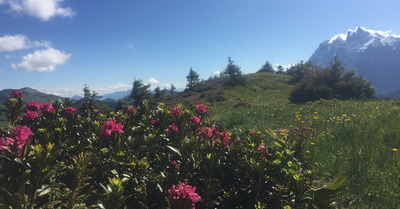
(13, 42)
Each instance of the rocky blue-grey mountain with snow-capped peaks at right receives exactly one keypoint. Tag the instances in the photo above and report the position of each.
(373, 54)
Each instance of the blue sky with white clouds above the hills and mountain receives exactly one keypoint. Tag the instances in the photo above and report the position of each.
(58, 46)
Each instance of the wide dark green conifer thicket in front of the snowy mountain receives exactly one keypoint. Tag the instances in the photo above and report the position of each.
(329, 83)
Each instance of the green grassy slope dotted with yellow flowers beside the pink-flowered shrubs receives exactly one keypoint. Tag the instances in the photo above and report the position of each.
(352, 138)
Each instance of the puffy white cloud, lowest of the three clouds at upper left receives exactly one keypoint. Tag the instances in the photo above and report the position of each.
(45, 60)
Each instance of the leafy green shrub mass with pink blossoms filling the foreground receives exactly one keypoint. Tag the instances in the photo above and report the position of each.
(96, 162)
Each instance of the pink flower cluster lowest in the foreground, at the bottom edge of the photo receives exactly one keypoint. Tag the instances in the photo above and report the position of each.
(182, 196)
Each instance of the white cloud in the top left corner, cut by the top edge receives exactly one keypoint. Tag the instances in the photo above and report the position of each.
(42, 9)
